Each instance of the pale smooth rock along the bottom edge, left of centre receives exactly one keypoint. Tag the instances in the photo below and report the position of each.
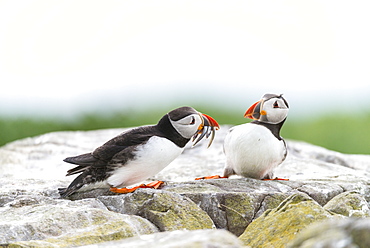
(178, 239)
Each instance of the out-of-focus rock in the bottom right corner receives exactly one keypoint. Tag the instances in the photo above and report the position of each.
(345, 233)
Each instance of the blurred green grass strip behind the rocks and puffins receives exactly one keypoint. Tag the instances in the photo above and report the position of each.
(337, 133)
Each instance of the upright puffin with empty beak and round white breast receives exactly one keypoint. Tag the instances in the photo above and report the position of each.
(256, 148)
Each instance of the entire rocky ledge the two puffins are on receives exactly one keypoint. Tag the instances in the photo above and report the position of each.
(325, 203)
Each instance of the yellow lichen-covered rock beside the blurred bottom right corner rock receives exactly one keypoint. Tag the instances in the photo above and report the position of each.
(276, 227)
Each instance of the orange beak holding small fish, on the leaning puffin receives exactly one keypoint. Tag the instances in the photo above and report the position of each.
(207, 128)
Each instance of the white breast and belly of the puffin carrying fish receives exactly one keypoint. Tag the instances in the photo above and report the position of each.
(150, 159)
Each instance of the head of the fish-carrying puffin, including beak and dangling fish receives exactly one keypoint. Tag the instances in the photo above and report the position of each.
(189, 123)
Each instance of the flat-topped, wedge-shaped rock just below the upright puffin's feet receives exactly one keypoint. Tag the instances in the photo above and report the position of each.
(232, 204)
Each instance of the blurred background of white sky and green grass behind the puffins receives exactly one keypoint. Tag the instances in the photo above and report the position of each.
(82, 65)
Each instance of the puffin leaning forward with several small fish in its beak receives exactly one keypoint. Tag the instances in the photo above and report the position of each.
(139, 153)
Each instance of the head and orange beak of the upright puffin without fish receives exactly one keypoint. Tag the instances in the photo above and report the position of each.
(271, 109)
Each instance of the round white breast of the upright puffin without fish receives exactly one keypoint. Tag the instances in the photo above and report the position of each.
(253, 151)
